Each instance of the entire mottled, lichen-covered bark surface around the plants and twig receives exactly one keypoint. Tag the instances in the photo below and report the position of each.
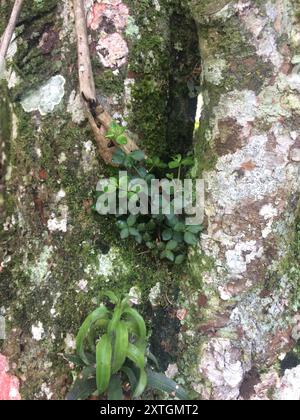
(221, 325)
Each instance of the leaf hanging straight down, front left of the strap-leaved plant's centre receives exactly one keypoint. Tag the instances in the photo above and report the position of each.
(103, 363)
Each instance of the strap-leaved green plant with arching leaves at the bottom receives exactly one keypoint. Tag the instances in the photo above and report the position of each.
(112, 353)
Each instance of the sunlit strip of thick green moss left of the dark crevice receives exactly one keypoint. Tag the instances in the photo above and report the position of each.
(149, 62)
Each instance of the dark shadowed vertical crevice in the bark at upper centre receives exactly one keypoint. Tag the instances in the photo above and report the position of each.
(184, 81)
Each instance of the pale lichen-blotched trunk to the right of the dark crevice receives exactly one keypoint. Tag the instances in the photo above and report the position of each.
(250, 130)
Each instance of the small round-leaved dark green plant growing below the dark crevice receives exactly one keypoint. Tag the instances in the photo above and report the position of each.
(165, 235)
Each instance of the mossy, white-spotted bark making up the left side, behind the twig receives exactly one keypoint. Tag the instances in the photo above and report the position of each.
(56, 254)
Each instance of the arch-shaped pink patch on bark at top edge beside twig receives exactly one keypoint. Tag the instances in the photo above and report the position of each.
(114, 13)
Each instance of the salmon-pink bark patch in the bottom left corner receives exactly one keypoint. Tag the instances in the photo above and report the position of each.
(9, 385)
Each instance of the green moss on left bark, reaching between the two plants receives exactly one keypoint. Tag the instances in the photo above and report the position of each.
(87, 238)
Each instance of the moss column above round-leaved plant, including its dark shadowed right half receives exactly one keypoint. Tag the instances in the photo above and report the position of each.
(162, 62)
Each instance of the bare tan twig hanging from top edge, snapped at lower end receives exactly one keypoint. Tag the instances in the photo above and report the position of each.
(99, 119)
